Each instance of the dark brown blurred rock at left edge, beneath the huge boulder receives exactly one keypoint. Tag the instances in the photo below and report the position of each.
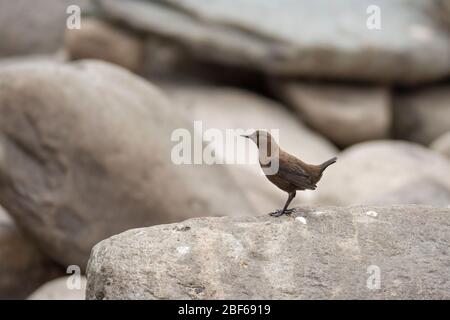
(23, 267)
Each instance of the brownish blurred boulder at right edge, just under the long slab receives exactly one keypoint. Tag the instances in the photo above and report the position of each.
(422, 115)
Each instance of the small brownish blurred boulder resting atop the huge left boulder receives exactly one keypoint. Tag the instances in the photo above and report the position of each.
(100, 40)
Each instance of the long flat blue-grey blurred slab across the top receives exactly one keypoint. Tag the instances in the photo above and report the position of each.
(322, 38)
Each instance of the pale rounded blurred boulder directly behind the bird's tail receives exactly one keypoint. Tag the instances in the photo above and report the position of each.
(385, 172)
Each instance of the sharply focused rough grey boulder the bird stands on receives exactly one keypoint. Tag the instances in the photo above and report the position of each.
(317, 253)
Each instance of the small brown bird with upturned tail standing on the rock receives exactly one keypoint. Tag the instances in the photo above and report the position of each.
(284, 170)
